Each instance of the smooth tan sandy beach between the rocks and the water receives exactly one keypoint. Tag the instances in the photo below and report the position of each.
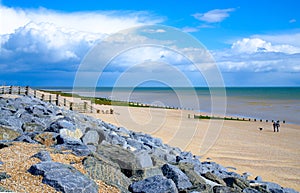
(239, 144)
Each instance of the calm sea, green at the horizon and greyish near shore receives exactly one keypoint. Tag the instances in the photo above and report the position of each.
(266, 103)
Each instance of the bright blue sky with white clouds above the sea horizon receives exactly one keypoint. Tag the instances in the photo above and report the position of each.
(252, 42)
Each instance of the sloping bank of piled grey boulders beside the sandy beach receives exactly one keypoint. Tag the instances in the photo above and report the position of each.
(130, 161)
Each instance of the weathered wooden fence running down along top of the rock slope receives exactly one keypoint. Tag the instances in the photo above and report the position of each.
(71, 103)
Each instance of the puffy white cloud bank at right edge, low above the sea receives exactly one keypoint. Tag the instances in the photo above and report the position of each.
(261, 53)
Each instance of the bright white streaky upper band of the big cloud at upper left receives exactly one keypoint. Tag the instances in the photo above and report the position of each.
(92, 22)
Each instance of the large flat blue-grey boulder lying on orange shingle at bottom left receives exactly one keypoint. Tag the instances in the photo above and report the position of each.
(63, 178)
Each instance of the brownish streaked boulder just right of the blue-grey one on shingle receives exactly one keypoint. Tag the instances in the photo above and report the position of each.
(109, 172)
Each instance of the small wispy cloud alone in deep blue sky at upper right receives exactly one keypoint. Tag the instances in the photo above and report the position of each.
(213, 16)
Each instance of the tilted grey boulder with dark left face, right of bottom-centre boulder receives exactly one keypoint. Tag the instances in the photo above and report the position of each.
(180, 179)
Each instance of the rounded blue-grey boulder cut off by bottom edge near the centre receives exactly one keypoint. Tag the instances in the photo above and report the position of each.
(154, 184)
